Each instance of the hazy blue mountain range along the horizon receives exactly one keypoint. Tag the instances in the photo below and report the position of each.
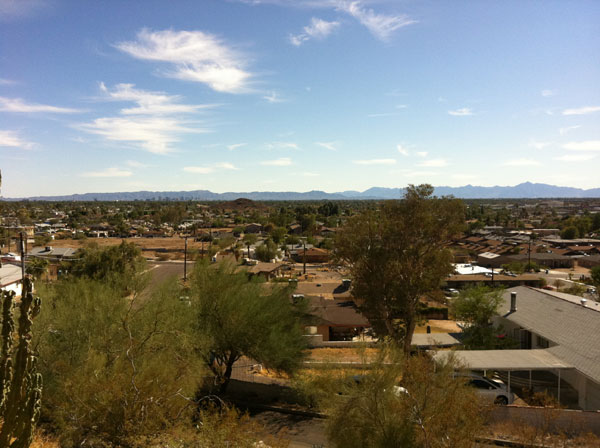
(526, 190)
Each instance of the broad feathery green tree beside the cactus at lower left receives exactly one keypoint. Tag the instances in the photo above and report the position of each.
(114, 367)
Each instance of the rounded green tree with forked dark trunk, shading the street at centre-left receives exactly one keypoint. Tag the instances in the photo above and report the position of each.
(239, 317)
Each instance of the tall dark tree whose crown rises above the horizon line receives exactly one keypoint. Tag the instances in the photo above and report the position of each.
(396, 254)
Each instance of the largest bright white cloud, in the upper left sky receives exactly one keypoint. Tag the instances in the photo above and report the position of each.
(195, 56)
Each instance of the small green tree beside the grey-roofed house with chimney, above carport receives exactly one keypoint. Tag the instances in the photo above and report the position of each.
(476, 306)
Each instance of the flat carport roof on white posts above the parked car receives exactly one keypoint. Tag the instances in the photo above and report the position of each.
(507, 361)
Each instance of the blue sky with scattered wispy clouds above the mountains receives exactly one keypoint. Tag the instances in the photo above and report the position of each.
(296, 95)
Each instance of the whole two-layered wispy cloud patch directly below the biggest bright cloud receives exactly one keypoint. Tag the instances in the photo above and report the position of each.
(154, 125)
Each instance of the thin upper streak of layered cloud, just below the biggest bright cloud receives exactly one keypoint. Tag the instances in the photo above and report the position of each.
(148, 103)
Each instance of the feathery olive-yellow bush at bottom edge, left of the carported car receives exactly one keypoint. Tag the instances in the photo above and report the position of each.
(402, 403)
